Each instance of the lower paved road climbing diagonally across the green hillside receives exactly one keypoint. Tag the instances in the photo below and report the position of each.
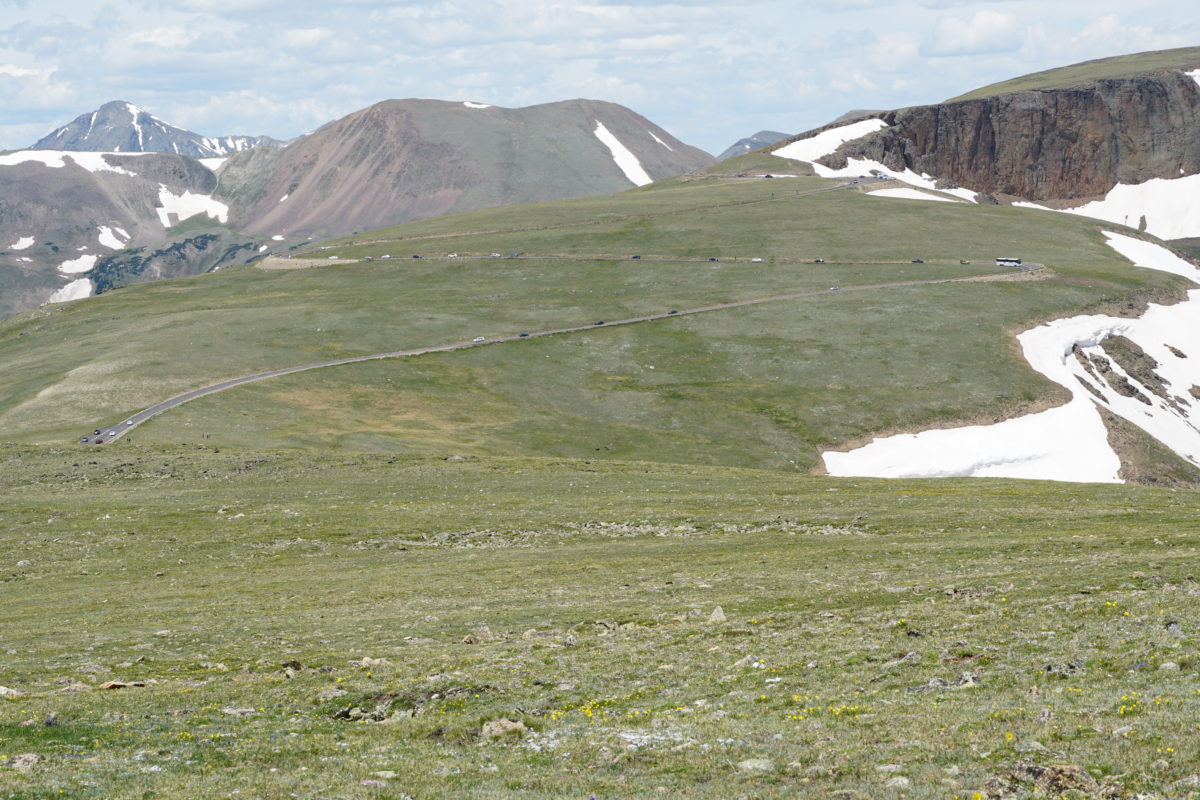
(111, 434)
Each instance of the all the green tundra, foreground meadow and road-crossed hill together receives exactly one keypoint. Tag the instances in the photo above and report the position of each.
(587, 564)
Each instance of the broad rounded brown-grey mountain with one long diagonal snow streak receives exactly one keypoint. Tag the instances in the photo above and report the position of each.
(405, 160)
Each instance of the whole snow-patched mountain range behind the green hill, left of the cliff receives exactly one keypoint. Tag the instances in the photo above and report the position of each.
(398, 161)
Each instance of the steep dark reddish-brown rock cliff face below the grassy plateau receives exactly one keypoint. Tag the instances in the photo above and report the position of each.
(1048, 145)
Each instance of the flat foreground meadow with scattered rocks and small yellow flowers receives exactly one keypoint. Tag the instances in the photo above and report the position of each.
(943, 633)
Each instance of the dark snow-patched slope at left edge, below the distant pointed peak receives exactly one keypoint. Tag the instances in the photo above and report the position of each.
(73, 224)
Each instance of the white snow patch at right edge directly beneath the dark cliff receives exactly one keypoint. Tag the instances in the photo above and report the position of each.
(1172, 207)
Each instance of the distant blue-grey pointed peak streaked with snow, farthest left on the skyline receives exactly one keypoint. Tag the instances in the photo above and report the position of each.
(124, 128)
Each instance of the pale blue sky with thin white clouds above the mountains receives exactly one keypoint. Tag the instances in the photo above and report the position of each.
(709, 71)
